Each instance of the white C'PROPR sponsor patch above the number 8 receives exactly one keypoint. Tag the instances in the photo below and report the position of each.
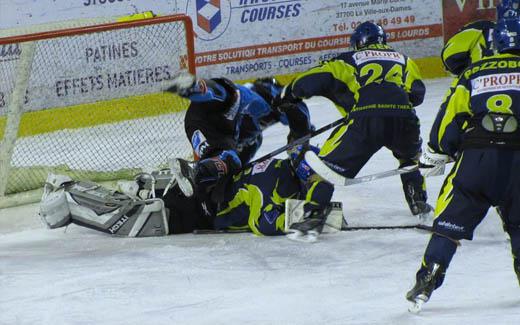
(495, 83)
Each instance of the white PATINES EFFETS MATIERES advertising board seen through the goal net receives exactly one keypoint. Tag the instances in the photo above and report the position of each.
(95, 67)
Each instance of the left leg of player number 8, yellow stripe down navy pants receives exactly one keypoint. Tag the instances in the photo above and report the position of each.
(459, 210)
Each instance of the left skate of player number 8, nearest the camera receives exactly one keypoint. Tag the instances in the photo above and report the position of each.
(424, 287)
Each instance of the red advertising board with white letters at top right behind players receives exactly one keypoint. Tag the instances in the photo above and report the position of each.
(458, 13)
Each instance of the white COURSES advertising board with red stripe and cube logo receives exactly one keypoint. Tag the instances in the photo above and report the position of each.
(242, 39)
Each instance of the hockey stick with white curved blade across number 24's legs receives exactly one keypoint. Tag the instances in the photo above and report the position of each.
(334, 178)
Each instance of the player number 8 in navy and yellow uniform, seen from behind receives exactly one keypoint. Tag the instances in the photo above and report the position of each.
(485, 109)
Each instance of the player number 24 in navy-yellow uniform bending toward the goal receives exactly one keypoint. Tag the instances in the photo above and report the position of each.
(377, 88)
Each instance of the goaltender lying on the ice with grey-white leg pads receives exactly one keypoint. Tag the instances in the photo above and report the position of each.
(153, 204)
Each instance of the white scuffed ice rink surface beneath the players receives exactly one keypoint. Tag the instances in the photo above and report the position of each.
(79, 276)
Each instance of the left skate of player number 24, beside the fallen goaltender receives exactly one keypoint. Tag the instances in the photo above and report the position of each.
(310, 227)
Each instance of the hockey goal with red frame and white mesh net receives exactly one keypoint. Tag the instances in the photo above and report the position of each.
(89, 102)
